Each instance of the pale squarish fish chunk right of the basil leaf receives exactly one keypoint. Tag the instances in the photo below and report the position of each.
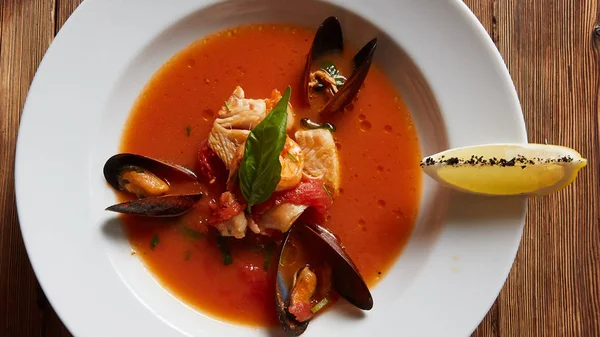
(321, 158)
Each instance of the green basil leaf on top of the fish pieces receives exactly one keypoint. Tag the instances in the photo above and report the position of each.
(260, 170)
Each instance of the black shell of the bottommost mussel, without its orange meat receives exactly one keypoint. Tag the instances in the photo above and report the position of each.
(346, 280)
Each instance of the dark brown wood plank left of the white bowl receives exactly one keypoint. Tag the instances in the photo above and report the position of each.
(26, 30)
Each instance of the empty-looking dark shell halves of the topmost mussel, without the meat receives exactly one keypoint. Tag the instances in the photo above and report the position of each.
(329, 38)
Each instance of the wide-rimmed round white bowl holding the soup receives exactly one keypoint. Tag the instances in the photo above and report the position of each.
(435, 52)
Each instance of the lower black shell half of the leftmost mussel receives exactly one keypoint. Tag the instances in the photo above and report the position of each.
(161, 206)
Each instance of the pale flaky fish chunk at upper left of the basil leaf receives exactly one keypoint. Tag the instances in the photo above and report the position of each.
(236, 118)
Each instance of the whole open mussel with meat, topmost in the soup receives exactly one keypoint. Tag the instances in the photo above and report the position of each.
(329, 39)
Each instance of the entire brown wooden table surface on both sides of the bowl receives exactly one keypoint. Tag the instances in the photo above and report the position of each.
(551, 51)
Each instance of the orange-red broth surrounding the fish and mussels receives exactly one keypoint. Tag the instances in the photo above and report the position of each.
(378, 146)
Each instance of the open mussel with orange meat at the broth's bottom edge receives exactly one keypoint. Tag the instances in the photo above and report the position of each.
(327, 267)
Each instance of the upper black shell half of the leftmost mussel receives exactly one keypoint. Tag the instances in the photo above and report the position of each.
(115, 164)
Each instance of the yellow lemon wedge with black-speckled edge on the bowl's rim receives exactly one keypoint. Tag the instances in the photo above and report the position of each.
(505, 169)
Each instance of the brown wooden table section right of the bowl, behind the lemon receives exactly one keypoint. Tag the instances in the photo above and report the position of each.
(554, 284)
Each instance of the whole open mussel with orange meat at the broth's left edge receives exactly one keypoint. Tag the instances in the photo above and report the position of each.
(141, 175)
